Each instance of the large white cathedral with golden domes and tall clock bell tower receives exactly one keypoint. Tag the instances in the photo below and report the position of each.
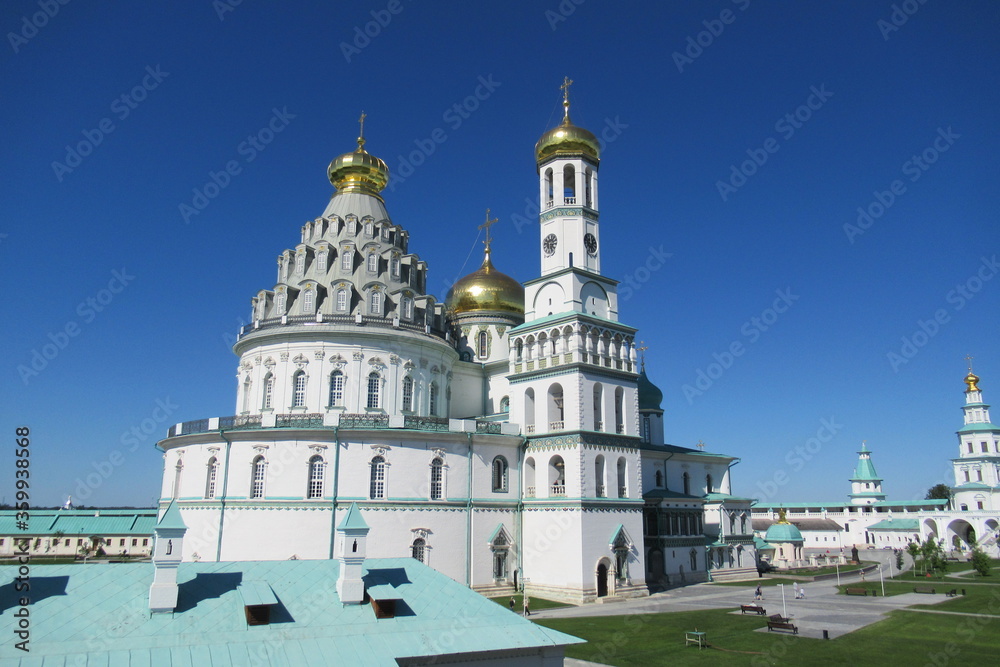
(508, 437)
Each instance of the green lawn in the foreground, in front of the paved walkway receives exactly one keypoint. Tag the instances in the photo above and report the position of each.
(904, 638)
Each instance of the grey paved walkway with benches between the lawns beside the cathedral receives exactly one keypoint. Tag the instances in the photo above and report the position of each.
(823, 609)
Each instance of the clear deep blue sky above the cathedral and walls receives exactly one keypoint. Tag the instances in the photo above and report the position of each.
(157, 351)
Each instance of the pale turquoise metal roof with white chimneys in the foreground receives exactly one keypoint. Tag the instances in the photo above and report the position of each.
(99, 614)
